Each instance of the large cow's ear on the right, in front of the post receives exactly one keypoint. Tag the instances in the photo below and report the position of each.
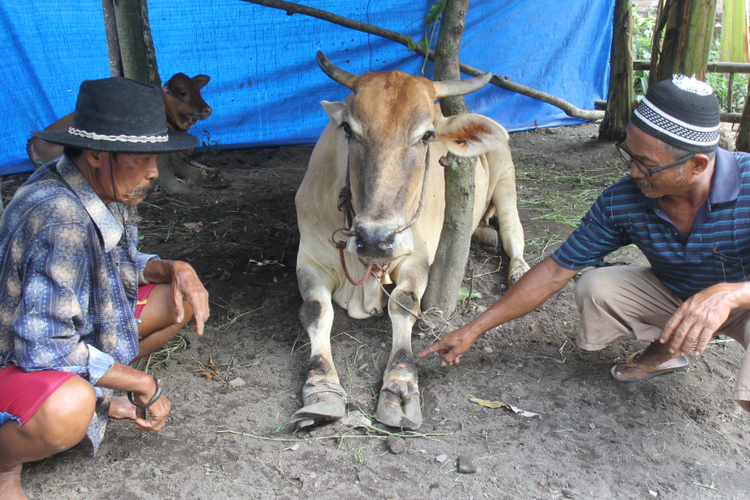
(469, 134)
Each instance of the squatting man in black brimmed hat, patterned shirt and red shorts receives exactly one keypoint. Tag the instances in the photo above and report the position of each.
(78, 301)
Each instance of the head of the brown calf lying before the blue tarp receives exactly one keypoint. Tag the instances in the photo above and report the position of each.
(183, 100)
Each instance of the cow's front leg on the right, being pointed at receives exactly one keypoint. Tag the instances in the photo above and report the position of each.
(398, 403)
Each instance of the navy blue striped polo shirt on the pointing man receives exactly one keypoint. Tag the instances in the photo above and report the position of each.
(717, 250)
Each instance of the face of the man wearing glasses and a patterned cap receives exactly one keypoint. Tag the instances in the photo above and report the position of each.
(651, 152)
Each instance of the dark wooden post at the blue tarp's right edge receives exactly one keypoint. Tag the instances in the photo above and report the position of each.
(620, 98)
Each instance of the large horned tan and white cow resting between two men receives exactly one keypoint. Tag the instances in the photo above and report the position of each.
(381, 135)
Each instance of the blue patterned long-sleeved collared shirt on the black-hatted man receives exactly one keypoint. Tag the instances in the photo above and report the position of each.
(69, 276)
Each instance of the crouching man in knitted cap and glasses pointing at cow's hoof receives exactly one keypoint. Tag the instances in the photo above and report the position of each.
(686, 206)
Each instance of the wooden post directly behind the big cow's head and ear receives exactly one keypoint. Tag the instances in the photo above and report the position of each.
(447, 270)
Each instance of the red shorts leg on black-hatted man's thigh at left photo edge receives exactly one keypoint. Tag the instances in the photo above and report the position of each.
(22, 394)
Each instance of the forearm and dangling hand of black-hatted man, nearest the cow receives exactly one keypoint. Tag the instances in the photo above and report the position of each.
(185, 286)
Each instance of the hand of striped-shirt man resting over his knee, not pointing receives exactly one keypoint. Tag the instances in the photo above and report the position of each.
(699, 317)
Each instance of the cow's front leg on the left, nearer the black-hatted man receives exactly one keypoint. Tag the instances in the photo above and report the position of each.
(322, 394)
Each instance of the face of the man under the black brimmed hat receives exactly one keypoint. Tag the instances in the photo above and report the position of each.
(131, 176)
